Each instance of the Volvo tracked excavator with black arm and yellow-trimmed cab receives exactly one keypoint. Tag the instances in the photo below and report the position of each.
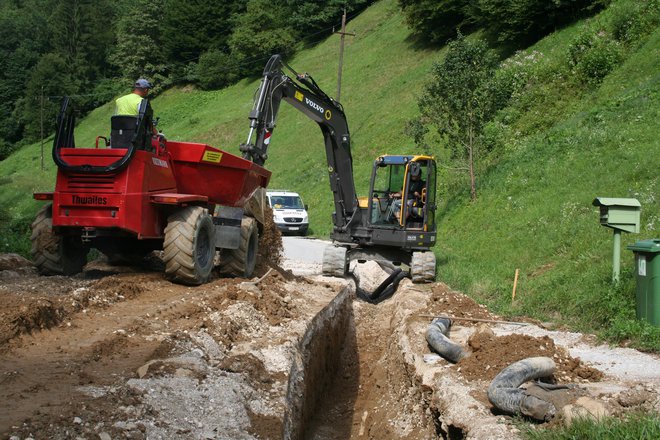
(396, 224)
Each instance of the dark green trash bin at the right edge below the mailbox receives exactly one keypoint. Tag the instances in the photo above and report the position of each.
(647, 269)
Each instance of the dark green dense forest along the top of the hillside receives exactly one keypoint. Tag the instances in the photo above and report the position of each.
(92, 50)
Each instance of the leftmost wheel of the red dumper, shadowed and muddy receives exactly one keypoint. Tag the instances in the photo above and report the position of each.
(55, 254)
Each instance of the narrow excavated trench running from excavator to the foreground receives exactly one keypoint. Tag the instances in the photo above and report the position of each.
(351, 380)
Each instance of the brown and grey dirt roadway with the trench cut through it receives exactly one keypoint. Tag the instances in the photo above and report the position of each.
(118, 352)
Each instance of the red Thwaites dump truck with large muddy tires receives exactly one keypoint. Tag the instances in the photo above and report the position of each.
(136, 193)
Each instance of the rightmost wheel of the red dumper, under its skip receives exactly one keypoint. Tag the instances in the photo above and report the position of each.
(242, 261)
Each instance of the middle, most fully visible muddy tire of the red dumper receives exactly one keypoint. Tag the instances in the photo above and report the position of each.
(189, 246)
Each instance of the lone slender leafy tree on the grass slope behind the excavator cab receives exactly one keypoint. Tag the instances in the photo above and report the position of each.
(458, 100)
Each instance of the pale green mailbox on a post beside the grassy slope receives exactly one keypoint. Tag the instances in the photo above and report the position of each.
(620, 215)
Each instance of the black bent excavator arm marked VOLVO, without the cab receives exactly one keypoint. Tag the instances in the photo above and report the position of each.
(305, 95)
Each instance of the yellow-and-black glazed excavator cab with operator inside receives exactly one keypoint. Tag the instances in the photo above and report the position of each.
(403, 193)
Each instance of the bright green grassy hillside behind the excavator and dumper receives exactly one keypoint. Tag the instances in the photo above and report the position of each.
(559, 144)
